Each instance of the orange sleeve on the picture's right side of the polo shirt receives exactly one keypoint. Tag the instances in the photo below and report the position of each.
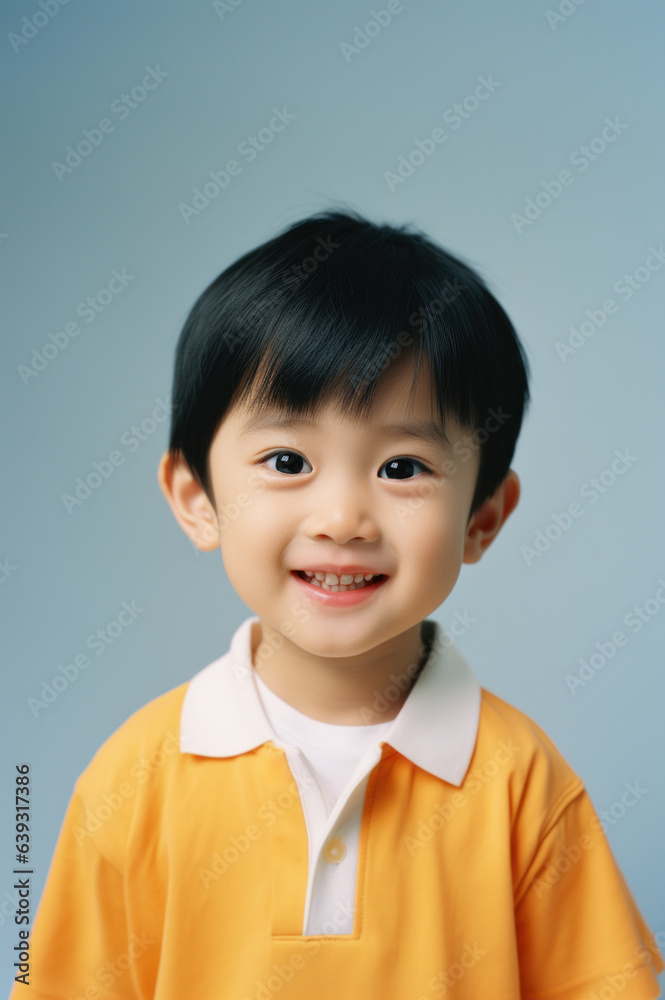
(579, 930)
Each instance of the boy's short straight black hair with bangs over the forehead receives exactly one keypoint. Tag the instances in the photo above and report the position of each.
(318, 312)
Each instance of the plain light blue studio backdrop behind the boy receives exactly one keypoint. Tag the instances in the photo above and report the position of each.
(119, 209)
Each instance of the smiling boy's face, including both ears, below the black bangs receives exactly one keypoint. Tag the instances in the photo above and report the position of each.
(332, 496)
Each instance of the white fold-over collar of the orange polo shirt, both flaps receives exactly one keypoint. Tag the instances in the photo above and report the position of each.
(436, 728)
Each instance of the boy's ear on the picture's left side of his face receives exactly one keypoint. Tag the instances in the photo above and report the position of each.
(189, 503)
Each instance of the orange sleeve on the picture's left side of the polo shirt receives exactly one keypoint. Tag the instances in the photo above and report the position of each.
(79, 943)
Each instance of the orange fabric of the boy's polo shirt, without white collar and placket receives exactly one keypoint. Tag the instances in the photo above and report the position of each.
(183, 875)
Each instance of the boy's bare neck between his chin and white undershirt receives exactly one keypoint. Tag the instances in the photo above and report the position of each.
(347, 691)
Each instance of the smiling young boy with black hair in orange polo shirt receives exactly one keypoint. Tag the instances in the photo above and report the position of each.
(335, 808)
